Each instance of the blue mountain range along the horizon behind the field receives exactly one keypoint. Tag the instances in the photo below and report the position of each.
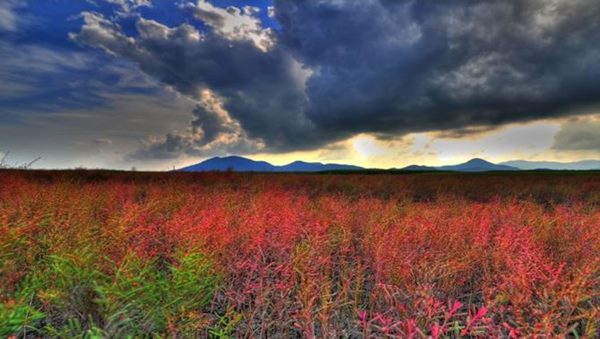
(241, 164)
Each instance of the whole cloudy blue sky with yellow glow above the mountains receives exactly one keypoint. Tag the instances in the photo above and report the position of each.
(157, 84)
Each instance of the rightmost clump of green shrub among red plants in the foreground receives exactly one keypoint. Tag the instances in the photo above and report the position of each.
(142, 299)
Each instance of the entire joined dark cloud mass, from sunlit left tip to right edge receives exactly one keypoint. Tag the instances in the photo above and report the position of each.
(377, 66)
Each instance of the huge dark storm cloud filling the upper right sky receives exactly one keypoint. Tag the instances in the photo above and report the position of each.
(405, 66)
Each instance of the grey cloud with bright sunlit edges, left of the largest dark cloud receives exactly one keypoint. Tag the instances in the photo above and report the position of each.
(263, 90)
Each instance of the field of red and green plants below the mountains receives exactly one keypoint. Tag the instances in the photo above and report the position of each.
(110, 254)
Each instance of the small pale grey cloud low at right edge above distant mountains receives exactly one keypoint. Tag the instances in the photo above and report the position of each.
(578, 135)
